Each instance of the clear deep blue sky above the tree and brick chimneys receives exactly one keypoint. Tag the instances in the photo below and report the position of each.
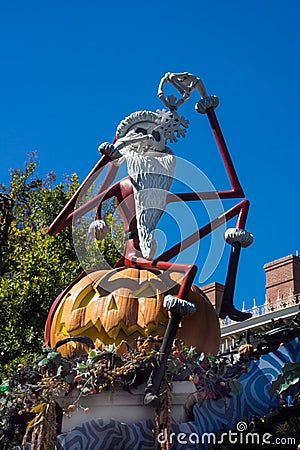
(71, 70)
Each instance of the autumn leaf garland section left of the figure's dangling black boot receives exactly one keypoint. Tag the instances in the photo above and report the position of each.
(27, 399)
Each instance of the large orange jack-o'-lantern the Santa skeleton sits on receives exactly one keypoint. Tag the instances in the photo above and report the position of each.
(125, 304)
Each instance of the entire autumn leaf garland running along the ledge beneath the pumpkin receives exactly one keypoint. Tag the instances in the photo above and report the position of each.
(28, 408)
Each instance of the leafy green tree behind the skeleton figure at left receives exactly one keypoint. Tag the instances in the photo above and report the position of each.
(34, 266)
